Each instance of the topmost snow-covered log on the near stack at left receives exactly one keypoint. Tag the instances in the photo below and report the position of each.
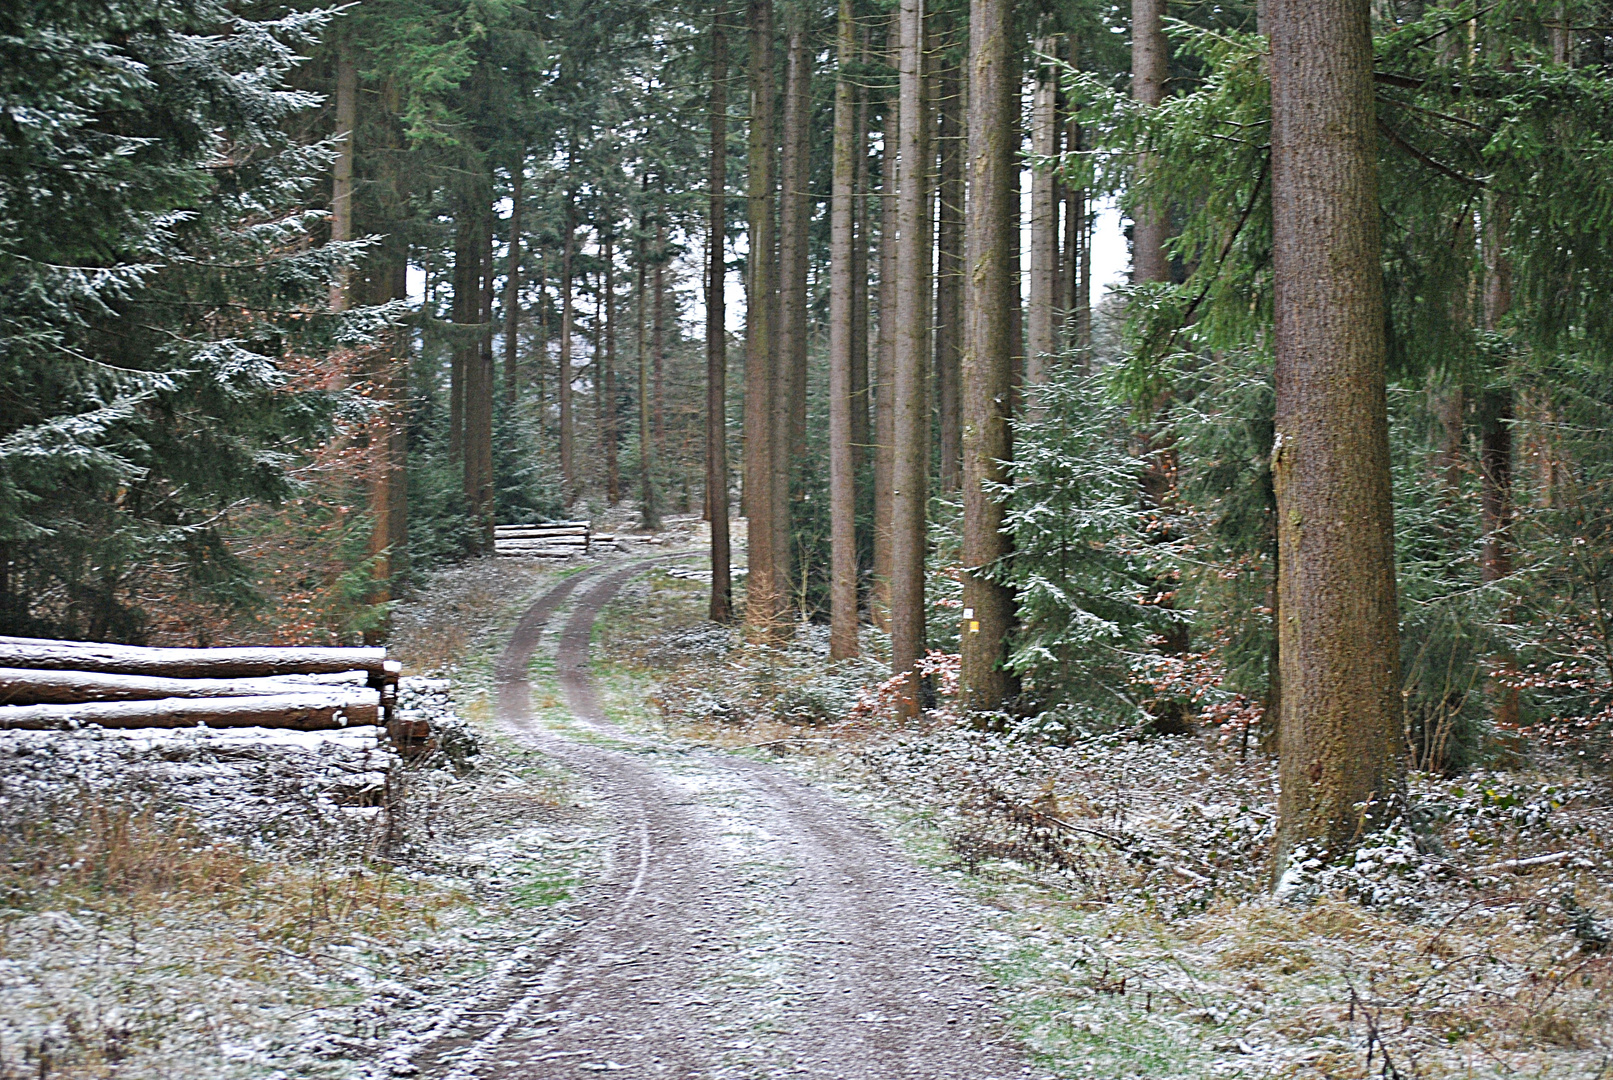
(193, 663)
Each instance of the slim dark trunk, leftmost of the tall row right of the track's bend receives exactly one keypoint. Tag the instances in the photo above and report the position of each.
(722, 609)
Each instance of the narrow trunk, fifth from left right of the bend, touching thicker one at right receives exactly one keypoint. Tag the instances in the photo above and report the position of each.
(886, 359)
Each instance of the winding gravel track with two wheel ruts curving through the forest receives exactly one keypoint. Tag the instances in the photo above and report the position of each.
(748, 926)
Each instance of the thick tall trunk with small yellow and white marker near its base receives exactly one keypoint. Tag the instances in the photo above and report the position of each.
(988, 352)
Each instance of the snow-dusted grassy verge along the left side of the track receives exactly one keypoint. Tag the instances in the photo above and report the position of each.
(204, 905)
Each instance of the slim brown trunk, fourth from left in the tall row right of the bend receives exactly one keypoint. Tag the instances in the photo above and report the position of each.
(843, 304)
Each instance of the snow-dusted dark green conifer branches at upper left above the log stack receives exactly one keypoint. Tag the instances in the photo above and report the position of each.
(156, 278)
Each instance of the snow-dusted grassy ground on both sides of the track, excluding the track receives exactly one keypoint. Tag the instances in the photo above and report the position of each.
(235, 903)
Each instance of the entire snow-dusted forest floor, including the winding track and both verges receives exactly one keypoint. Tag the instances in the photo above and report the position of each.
(651, 849)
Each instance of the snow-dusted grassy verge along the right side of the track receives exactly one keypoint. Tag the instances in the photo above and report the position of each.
(1133, 931)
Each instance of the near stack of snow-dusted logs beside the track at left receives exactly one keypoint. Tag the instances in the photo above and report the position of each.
(60, 686)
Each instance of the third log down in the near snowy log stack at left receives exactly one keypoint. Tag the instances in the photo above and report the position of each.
(298, 712)
